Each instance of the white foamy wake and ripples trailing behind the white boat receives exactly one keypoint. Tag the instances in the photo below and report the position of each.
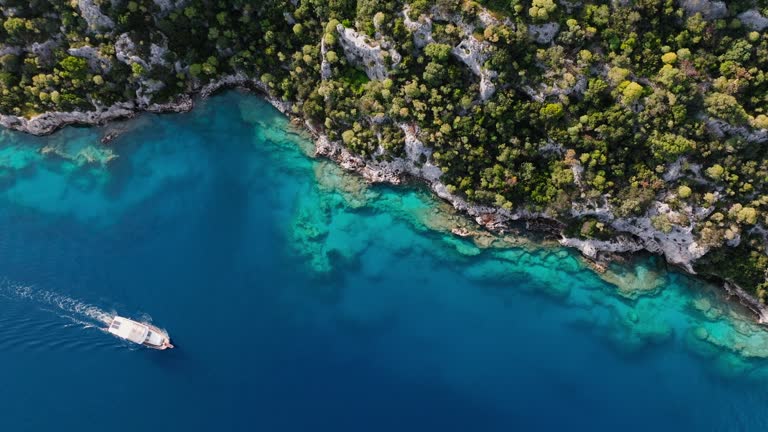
(22, 329)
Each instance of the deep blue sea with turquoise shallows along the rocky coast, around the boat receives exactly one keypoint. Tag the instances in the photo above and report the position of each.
(301, 299)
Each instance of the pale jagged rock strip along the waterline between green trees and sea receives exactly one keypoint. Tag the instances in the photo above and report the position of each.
(598, 252)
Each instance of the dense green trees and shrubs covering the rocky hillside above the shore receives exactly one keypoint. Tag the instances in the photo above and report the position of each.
(630, 103)
